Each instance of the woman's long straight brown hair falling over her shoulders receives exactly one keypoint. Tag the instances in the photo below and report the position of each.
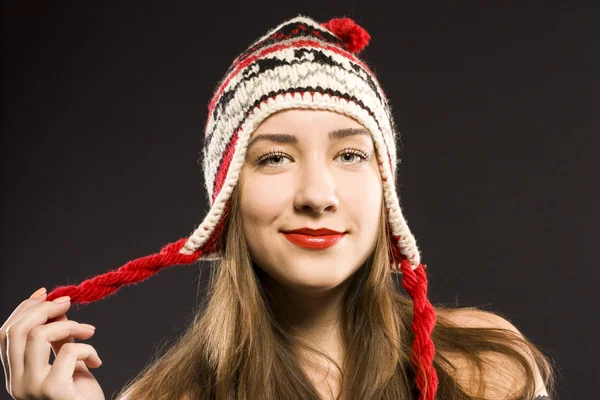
(236, 346)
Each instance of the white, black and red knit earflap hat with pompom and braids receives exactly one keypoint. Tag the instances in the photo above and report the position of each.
(299, 64)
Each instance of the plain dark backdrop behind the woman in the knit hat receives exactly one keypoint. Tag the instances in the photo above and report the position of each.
(102, 120)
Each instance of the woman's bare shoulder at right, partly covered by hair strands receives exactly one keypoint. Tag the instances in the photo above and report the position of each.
(501, 373)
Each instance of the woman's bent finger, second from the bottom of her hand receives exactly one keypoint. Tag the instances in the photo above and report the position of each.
(37, 348)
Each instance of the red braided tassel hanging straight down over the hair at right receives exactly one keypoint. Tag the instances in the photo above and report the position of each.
(423, 350)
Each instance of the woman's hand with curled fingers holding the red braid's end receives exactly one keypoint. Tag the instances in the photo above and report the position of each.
(26, 338)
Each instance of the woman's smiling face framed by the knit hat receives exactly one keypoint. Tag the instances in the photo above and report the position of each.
(310, 180)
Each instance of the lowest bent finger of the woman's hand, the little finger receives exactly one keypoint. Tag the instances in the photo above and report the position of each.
(67, 358)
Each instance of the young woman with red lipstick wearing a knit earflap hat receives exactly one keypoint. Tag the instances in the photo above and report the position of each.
(317, 288)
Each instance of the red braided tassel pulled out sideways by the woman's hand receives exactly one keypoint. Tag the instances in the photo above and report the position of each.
(134, 271)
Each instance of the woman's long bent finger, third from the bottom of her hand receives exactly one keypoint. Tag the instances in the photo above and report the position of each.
(17, 333)
